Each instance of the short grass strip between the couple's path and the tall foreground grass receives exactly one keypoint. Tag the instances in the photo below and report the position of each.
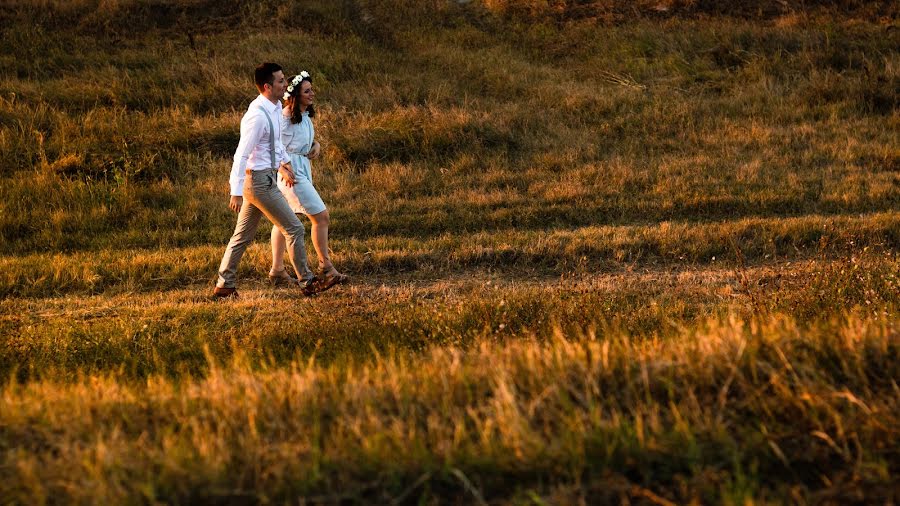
(171, 333)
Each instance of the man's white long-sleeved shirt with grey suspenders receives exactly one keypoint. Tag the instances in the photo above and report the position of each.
(253, 149)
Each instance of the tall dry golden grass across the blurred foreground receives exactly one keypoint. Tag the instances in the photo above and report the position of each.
(598, 416)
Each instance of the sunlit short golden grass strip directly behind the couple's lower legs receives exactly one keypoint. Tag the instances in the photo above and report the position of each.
(540, 253)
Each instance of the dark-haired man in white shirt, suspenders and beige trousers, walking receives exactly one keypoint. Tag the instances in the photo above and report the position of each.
(260, 156)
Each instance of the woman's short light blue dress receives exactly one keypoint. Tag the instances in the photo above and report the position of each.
(298, 141)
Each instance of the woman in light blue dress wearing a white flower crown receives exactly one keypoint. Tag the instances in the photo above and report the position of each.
(297, 135)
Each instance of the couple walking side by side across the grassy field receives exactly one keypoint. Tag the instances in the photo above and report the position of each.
(271, 176)
